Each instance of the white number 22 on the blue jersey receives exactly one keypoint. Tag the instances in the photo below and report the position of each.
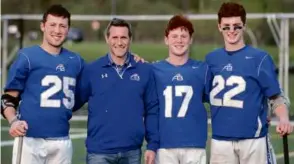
(220, 83)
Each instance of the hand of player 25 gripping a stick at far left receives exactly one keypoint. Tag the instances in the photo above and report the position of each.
(18, 128)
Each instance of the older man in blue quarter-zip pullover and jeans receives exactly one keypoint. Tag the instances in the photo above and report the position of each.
(122, 103)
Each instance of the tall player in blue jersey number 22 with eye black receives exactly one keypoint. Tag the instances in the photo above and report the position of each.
(244, 79)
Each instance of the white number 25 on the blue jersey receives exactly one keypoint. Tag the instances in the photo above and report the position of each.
(57, 86)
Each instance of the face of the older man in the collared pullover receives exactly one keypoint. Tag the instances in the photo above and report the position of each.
(118, 40)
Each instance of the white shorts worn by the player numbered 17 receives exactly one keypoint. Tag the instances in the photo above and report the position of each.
(181, 156)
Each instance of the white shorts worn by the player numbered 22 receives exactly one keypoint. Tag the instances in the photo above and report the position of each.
(248, 151)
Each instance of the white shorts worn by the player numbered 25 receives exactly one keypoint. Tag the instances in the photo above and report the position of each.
(43, 151)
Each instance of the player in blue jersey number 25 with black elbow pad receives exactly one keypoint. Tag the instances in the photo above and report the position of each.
(44, 78)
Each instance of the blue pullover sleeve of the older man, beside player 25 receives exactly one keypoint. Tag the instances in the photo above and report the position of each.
(83, 90)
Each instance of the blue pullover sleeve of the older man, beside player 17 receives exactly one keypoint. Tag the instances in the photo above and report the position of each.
(151, 114)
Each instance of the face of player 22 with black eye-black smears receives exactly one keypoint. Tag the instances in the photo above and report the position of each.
(232, 29)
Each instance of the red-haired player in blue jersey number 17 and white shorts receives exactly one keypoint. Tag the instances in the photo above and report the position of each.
(182, 84)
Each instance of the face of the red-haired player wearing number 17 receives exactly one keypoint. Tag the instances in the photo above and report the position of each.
(178, 41)
